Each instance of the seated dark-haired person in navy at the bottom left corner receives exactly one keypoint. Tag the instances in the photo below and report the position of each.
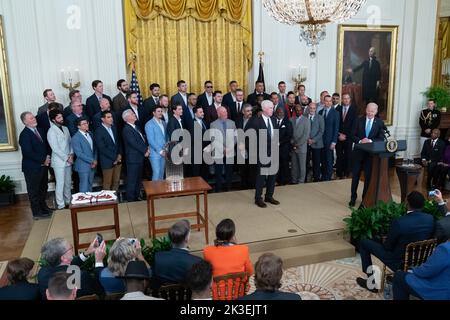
(17, 273)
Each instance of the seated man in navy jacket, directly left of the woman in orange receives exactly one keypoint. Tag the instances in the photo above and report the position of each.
(172, 266)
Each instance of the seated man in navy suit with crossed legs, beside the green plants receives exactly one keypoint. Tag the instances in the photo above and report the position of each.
(414, 226)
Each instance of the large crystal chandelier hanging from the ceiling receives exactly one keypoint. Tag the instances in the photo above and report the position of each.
(312, 15)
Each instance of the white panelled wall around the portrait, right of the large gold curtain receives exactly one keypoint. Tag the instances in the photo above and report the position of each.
(416, 20)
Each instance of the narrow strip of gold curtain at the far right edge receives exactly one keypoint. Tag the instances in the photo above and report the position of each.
(441, 50)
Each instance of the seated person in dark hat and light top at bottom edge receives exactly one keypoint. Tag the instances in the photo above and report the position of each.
(137, 280)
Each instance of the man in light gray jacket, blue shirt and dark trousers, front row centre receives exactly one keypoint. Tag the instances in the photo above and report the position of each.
(223, 148)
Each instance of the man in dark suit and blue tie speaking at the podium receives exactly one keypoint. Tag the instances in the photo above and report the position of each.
(366, 130)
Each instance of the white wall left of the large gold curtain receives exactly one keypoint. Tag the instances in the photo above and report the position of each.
(40, 44)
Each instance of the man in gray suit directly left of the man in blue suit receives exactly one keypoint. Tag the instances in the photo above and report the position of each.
(315, 141)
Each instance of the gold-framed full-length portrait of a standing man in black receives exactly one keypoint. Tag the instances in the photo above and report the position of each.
(367, 59)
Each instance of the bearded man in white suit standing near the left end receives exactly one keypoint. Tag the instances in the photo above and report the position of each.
(58, 137)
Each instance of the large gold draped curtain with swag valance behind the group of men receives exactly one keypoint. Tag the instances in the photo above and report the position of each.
(191, 40)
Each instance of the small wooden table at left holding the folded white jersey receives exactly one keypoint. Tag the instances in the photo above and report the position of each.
(97, 206)
